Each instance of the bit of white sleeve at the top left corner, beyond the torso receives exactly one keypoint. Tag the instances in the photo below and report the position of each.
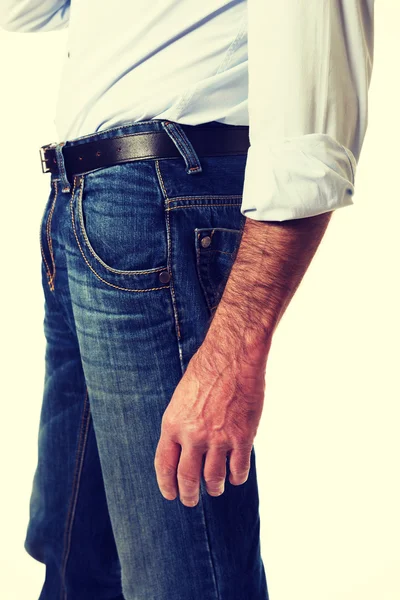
(28, 16)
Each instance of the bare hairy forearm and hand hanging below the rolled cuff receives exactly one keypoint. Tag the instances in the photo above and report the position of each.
(217, 406)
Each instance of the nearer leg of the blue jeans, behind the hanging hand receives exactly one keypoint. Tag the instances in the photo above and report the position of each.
(144, 281)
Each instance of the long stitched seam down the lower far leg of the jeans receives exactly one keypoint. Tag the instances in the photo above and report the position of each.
(80, 454)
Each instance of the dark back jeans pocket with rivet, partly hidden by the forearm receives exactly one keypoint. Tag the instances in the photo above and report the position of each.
(216, 249)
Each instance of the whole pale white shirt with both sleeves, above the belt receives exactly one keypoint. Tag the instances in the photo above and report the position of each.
(296, 71)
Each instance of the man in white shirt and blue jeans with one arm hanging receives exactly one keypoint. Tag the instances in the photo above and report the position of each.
(171, 250)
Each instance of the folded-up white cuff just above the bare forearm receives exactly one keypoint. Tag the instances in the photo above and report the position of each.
(296, 178)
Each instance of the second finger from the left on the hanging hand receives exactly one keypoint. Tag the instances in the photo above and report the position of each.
(189, 473)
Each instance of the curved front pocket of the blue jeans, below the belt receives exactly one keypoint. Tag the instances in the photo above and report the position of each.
(118, 221)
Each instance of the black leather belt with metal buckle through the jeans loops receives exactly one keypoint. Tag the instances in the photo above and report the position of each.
(87, 156)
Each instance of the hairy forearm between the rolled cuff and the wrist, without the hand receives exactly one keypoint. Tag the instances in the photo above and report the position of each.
(270, 263)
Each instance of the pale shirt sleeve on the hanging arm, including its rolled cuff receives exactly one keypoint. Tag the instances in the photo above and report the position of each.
(310, 66)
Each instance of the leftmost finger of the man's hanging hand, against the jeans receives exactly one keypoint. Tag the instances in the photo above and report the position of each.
(166, 463)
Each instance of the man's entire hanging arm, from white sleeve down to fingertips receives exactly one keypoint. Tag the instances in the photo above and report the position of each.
(310, 64)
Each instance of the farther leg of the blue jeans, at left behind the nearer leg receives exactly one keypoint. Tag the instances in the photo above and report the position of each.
(69, 529)
